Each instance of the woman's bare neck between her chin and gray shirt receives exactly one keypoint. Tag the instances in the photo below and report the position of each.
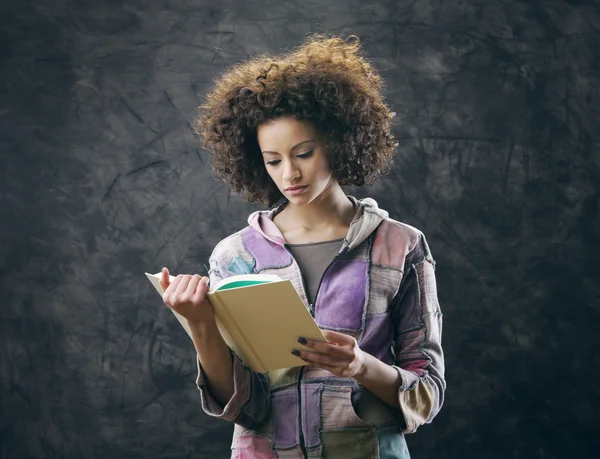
(332, 207)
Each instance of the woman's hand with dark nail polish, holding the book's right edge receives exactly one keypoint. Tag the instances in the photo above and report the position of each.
(340, 355)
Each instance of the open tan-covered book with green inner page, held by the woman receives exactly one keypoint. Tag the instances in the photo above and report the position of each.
(260, 317)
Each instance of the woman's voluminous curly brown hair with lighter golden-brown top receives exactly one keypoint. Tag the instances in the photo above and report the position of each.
(324, 81)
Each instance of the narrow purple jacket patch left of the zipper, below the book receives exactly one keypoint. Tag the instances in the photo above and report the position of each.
(285, 410)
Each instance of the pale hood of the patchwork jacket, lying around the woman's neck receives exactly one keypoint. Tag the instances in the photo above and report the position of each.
(367, 218)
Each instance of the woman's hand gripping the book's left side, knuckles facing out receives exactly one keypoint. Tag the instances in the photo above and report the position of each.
(186, 295)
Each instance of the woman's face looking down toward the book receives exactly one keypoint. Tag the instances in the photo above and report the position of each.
(296, 159)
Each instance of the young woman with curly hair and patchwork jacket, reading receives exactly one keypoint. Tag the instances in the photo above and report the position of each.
(292, 130)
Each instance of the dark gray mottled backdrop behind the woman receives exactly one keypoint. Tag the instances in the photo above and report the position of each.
(100, 180)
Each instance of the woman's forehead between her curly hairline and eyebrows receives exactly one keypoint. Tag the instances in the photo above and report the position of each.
(284, 133)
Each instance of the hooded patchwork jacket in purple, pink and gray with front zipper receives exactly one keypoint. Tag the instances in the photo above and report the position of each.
(380, 288)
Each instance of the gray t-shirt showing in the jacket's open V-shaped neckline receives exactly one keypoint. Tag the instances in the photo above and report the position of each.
(313, 259)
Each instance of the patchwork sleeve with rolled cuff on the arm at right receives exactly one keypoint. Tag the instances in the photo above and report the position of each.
(419, 357)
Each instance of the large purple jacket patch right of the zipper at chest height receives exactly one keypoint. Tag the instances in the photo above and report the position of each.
(341, 298)
